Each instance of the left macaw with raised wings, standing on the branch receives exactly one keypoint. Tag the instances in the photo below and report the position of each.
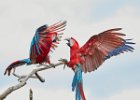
(45, 39)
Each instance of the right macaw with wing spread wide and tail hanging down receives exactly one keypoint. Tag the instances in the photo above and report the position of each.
(93, 53)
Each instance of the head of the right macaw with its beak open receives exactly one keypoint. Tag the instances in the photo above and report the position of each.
(72, 43)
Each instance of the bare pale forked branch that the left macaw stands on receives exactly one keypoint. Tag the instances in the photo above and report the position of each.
(24, 78)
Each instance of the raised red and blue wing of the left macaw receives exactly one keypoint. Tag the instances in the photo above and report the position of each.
(41, 42)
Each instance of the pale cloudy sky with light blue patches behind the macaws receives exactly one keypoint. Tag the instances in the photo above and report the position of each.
(117, 79)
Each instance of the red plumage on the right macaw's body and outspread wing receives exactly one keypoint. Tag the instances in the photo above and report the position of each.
(92, 54)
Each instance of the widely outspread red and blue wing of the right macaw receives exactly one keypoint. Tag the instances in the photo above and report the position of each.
(103, 46)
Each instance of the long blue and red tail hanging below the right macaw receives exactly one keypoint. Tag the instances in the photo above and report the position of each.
(78, 84)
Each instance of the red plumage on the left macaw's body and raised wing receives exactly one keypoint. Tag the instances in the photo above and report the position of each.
(45, 43)
